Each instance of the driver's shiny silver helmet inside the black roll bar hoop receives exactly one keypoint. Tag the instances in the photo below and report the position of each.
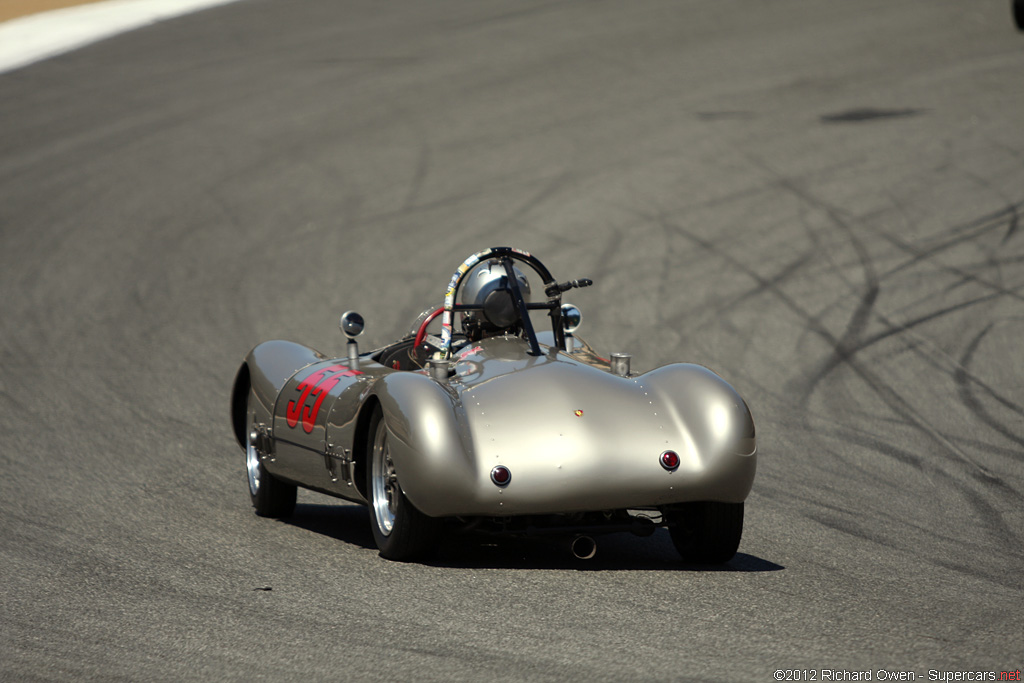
(488, 286)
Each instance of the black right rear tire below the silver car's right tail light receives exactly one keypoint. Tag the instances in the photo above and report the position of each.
(707, 533)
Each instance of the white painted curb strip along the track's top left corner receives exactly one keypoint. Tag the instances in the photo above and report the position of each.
(28, 39)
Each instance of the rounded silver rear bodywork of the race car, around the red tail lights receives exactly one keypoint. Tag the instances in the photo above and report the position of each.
(574, 438)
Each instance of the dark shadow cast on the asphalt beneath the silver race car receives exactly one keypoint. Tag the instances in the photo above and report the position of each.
(618, 552)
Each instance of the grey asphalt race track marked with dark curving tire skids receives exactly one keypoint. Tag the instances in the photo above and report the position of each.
(820, 201)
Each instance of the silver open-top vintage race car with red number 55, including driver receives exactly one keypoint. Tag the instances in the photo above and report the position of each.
(498, 428)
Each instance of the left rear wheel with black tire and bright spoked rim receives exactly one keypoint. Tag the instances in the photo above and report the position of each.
(402, 532)
